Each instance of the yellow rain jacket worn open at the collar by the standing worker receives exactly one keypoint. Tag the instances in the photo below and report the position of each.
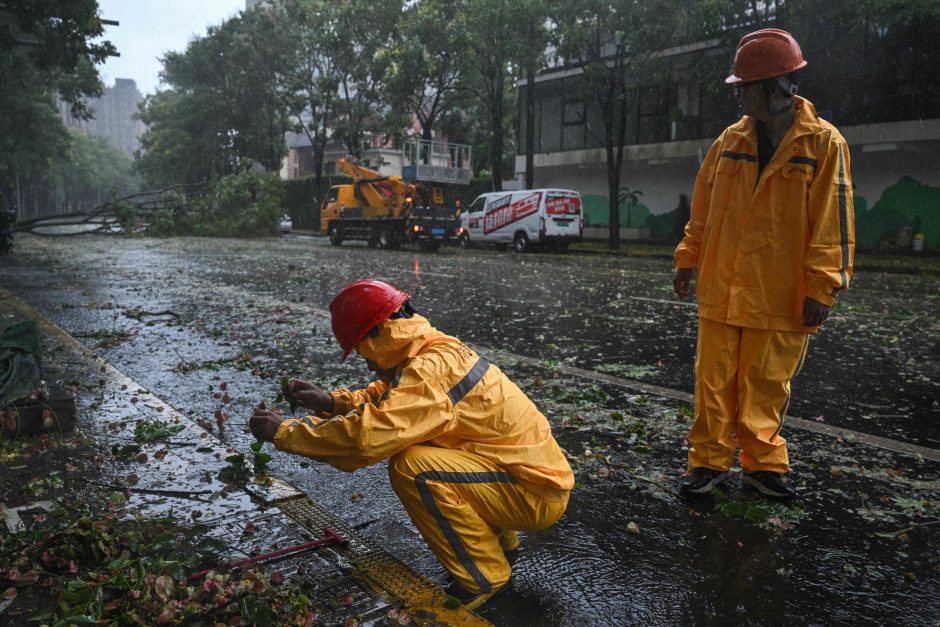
(762, 245)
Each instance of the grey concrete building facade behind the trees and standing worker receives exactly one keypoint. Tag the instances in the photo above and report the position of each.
(892, 125)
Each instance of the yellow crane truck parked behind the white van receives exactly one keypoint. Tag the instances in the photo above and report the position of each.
(384, 211)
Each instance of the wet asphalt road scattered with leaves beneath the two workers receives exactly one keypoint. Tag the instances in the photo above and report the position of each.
(244, 312)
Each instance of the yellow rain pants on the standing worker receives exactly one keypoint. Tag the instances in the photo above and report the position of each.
(742, 387)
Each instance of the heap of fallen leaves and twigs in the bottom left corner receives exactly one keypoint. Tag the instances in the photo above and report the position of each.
(77, 567)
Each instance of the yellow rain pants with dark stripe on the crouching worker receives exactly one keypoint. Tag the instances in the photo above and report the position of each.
(459, 501)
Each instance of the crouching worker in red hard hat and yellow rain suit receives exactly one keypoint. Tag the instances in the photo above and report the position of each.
(470, 456)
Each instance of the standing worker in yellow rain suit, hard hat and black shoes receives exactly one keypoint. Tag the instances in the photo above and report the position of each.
(772, 235)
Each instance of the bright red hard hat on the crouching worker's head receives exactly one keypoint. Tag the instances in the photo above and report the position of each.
(361, 306)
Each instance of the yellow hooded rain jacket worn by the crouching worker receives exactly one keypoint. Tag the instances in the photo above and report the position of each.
(443, 395)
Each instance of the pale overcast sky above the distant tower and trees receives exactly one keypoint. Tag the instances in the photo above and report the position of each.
(149, 28)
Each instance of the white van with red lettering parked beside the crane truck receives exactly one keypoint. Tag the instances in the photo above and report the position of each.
(547, 217)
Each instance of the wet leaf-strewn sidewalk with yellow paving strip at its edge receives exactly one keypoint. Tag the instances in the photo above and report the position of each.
(111, 521)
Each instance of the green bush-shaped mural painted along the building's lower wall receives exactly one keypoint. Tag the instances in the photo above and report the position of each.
(907, 211)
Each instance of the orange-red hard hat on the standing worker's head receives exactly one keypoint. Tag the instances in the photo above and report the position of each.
(765, 54)
